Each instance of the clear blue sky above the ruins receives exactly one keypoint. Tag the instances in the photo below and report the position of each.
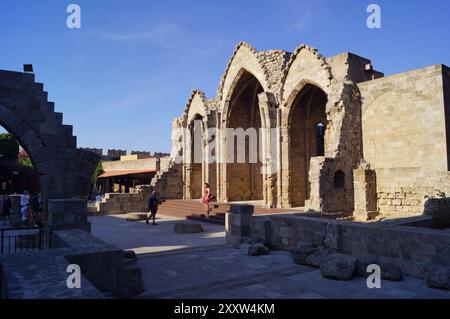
(129, 70)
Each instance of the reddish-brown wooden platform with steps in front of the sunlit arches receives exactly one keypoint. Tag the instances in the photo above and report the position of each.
(193, 210)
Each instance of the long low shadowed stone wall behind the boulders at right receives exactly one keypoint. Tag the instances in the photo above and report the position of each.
(402, 242)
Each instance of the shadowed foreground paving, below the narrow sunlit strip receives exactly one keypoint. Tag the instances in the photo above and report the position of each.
(202, 273)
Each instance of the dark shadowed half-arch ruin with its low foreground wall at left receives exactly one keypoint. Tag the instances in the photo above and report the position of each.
(65, 177)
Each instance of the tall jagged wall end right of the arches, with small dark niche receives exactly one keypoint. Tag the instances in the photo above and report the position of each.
(343, 140)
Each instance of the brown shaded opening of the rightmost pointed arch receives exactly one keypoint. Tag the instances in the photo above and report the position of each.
(308, 124)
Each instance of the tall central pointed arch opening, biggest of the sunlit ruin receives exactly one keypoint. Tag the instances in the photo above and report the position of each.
(244, 177)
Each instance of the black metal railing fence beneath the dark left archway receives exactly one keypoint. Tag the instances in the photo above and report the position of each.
(19, 240)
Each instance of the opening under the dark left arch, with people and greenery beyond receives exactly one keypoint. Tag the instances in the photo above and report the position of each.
(19, 177)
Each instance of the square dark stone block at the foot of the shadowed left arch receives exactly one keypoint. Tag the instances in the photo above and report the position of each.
(65, 214)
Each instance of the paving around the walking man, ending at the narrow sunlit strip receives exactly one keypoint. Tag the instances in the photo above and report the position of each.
(143, 238)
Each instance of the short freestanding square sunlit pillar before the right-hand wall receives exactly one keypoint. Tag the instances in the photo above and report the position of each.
(365, 190)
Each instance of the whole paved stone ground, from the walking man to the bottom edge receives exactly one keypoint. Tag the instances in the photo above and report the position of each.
(200, 266)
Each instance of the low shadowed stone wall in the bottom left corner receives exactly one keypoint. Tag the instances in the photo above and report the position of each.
(43, 274)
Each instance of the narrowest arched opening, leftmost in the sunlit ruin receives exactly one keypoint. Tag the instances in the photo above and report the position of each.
(196, 175)
